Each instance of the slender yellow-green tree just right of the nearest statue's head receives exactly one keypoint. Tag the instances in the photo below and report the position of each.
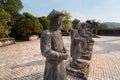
(66, 24)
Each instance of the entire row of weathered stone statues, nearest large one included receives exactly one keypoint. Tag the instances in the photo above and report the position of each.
(57, 64)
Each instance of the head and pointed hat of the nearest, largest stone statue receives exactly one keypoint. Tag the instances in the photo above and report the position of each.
(55, 18)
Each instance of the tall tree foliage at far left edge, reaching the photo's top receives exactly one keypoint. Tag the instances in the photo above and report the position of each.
(9, 12)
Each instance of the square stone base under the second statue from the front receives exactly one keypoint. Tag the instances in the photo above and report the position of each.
(79, 69)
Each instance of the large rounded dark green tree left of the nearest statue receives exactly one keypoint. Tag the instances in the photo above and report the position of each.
(27, 24)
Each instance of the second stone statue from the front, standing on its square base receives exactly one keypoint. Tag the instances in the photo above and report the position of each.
(76, 67)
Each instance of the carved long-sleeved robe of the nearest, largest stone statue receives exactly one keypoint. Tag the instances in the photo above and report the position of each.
(52, 48)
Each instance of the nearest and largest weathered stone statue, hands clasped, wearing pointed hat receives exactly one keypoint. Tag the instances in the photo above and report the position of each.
(52, 48)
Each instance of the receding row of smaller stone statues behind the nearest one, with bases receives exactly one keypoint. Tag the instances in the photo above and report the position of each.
(81, 48)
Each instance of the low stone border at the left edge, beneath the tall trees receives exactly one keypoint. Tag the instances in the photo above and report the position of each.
(6, 41)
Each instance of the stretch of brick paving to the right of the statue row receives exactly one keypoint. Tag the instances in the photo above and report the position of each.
(105, 63)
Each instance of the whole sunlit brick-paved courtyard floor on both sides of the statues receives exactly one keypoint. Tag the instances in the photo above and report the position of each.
(23, 60)
